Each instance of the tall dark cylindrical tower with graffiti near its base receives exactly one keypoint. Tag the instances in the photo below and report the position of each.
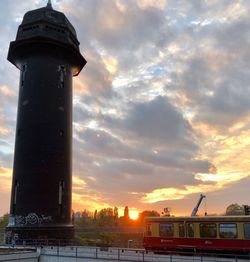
(46, 51)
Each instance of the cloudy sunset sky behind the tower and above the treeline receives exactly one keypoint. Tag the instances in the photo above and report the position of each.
(161, 110)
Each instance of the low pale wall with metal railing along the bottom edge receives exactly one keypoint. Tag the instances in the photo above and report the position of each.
(127, 254)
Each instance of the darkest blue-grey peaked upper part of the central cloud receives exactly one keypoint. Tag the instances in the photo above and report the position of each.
(158, 121)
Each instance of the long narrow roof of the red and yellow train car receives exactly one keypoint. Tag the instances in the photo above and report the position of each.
(198, 219)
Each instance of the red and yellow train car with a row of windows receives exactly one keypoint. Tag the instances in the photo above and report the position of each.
(227, 234)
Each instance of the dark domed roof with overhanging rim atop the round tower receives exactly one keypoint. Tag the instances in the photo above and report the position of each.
(48, 29)
